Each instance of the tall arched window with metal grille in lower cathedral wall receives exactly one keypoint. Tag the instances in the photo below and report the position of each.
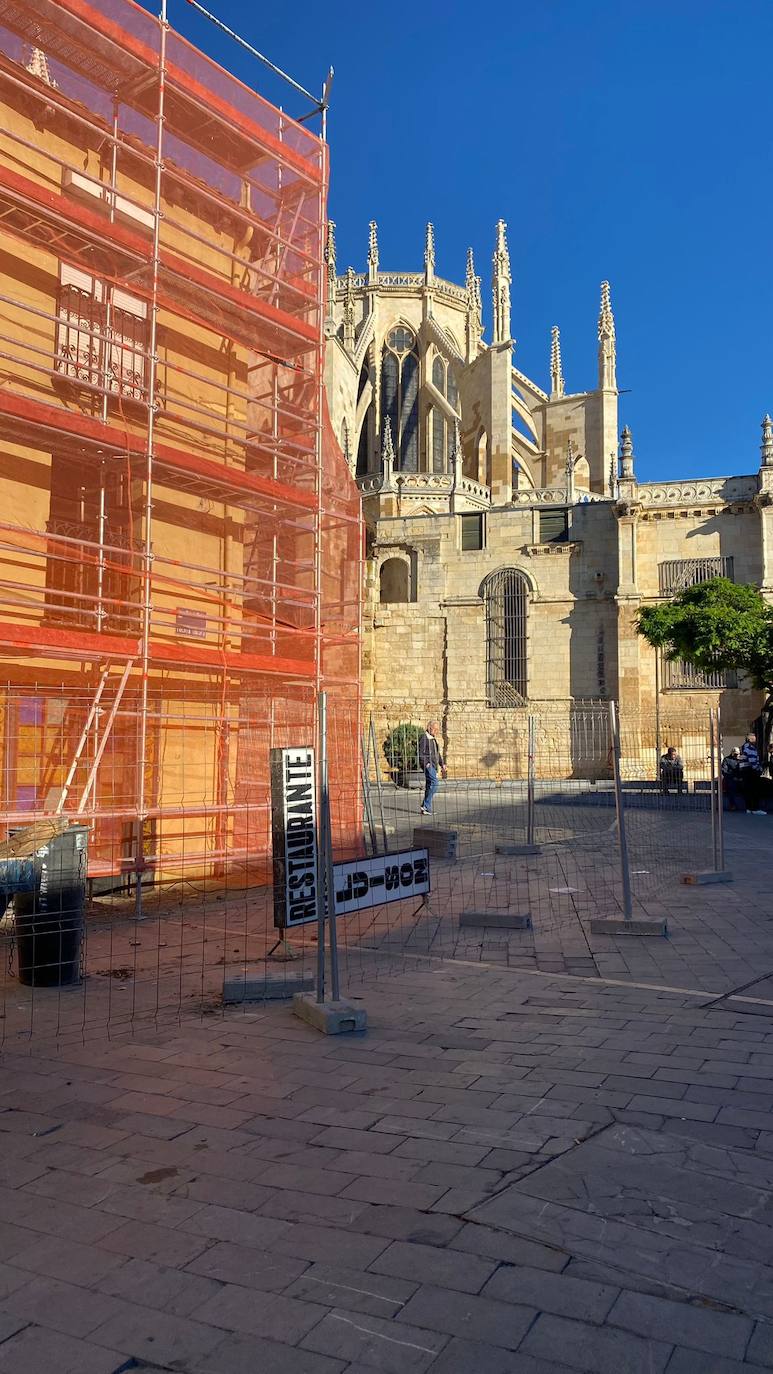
(506, 597)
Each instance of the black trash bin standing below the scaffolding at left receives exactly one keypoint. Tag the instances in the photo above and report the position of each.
(50, 916)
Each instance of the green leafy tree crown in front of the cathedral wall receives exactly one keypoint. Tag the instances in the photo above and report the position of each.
(717, 627)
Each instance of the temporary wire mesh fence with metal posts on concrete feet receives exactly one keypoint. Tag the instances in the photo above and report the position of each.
(518, 865)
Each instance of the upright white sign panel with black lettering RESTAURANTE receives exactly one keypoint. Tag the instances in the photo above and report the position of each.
(295, 835)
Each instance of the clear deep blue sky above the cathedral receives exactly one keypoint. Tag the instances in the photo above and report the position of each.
(627, 141)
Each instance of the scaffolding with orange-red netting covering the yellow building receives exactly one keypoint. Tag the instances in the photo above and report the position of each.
(181, 538)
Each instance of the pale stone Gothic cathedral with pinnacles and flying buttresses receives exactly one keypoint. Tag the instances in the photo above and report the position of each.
(510, 541)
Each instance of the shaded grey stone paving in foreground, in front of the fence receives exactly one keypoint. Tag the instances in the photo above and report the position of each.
(509, 1174)
